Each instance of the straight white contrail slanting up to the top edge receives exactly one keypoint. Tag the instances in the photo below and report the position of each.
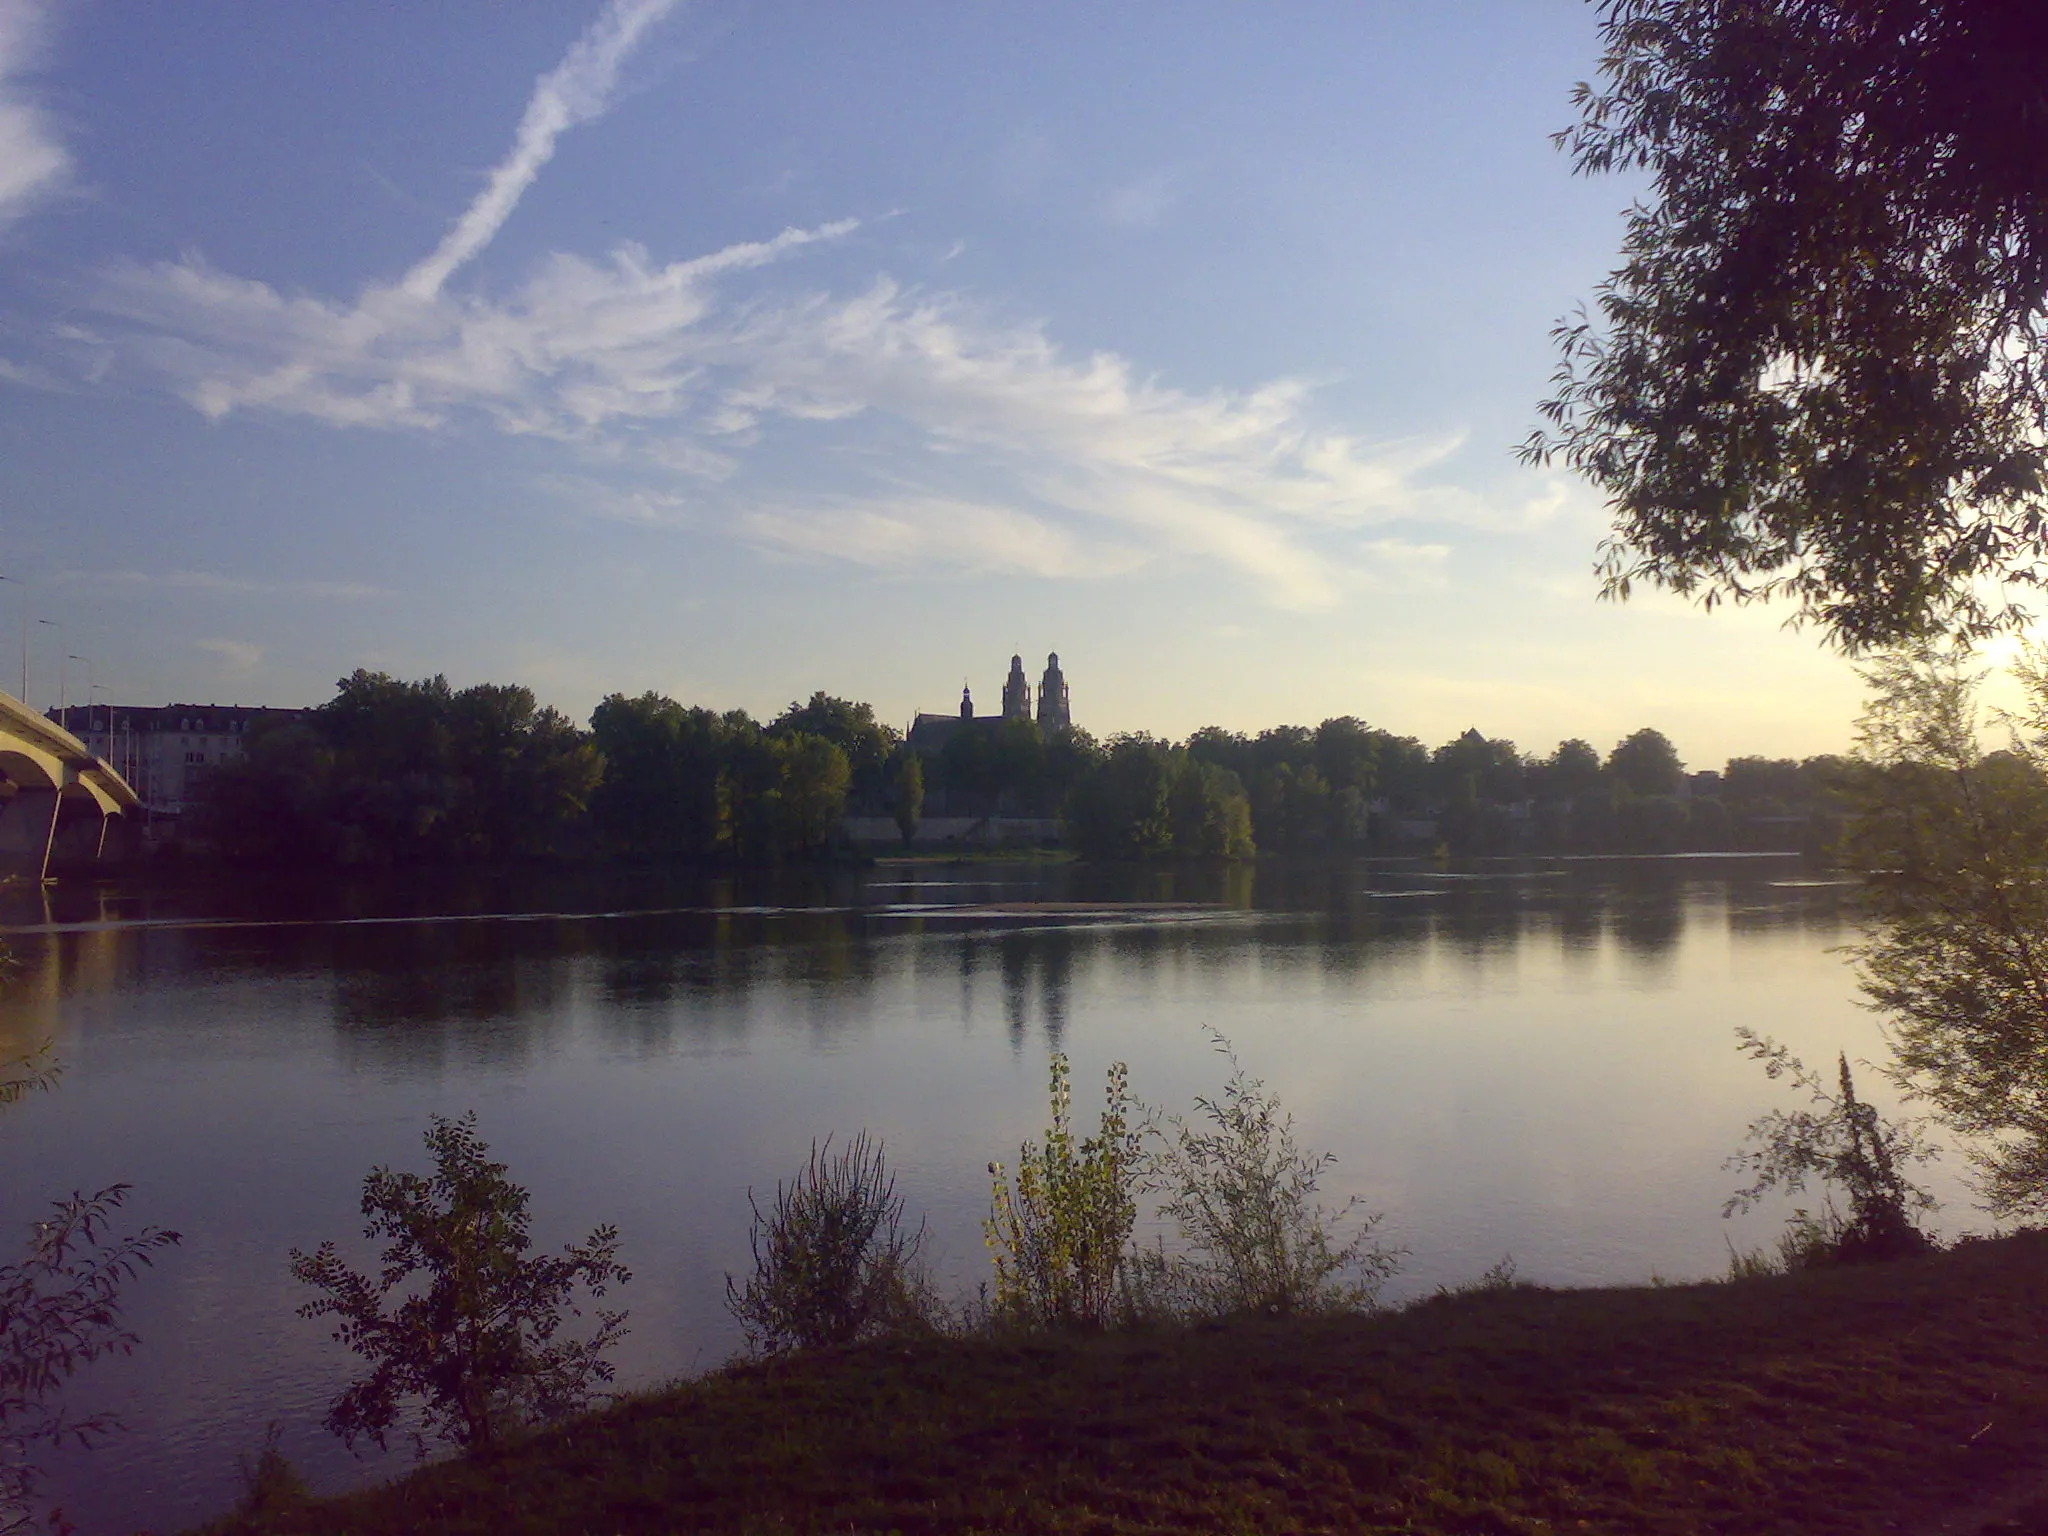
(574, 91)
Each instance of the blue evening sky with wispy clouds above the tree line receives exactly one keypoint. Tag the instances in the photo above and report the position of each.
(746, 349)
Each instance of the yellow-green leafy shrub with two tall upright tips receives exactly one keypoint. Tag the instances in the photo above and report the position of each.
(1062, 1234)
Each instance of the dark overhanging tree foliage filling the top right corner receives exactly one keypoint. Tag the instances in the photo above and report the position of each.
(1820, 370)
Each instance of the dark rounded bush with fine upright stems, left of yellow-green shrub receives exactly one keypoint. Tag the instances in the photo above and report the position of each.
(833, 1261)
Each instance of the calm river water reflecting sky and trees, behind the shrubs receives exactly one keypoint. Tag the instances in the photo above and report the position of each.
(1533, 1062)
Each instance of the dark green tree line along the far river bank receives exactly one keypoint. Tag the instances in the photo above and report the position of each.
(407, 773)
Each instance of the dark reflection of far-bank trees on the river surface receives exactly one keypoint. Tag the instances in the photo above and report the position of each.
(493, 992)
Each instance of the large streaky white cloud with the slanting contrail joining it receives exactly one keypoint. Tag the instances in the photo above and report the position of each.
(964, 439)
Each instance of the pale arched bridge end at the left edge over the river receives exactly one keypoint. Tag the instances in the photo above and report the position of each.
(69, 808)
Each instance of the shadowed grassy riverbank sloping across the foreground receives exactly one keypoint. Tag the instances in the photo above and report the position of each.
(1840, 1402)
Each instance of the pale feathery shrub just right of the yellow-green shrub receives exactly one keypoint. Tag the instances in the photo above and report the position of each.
(1254, 1238)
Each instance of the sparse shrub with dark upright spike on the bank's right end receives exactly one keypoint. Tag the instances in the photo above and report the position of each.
(1844, 1146)
